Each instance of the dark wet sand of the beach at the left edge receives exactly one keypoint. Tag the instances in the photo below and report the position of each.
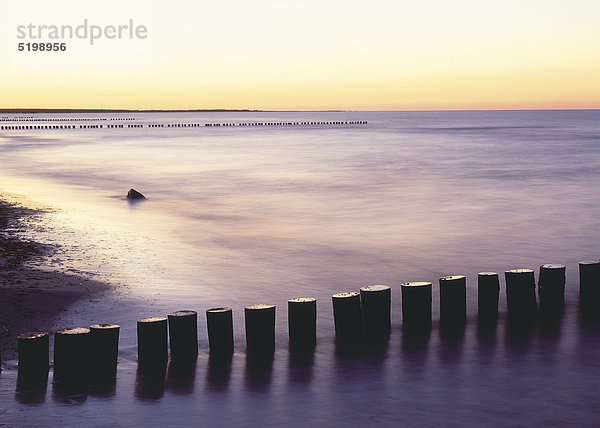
(30, 297)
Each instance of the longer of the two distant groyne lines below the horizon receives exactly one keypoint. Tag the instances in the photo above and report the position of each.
(171, 125)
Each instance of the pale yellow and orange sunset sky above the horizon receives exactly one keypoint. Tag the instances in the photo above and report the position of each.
(308, 55)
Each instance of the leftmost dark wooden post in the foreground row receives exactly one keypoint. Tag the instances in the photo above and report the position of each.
(34, 351)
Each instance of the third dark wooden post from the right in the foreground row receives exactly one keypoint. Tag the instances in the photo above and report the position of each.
(520, 293)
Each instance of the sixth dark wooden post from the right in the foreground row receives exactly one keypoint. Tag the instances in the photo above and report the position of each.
(416, 304)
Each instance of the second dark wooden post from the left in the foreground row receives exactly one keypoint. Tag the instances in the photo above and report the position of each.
(72, 352)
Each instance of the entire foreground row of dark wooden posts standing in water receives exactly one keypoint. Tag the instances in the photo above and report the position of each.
(365, 311)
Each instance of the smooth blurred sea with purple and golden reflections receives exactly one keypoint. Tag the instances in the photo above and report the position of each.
(242, 215)
